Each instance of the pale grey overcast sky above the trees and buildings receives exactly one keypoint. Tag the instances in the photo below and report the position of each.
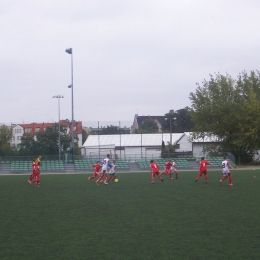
(130, 57)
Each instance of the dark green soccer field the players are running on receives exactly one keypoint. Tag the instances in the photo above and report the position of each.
(69, 217)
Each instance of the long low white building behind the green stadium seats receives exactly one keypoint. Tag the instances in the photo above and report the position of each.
(143, 145)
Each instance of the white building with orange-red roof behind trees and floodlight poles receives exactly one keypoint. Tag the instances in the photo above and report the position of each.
(20, 129)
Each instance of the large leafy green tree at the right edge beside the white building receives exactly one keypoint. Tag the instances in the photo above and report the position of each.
(230, 110)
